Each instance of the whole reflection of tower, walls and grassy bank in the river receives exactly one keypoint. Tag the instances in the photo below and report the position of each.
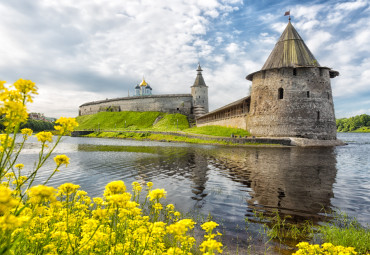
(295, 181)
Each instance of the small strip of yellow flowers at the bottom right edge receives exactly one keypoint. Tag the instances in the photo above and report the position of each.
(326, 248)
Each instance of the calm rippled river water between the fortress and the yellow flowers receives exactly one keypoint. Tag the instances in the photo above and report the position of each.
(227, 182)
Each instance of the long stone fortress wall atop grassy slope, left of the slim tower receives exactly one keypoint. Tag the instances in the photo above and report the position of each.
(178, 103)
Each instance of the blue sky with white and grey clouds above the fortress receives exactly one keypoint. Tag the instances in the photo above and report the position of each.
(85, 50)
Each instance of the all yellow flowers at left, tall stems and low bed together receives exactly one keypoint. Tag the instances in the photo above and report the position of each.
(38, 219)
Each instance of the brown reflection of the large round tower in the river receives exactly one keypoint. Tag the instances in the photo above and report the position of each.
(294, 181)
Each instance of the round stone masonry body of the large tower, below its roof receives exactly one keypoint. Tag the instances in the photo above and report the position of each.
(305, 110)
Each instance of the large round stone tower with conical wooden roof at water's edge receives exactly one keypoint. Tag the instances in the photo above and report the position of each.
(291, 95)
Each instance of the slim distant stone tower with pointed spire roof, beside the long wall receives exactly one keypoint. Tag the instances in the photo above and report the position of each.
(199, 91)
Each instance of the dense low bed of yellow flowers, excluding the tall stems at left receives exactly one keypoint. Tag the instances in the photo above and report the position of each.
(67, 221)
